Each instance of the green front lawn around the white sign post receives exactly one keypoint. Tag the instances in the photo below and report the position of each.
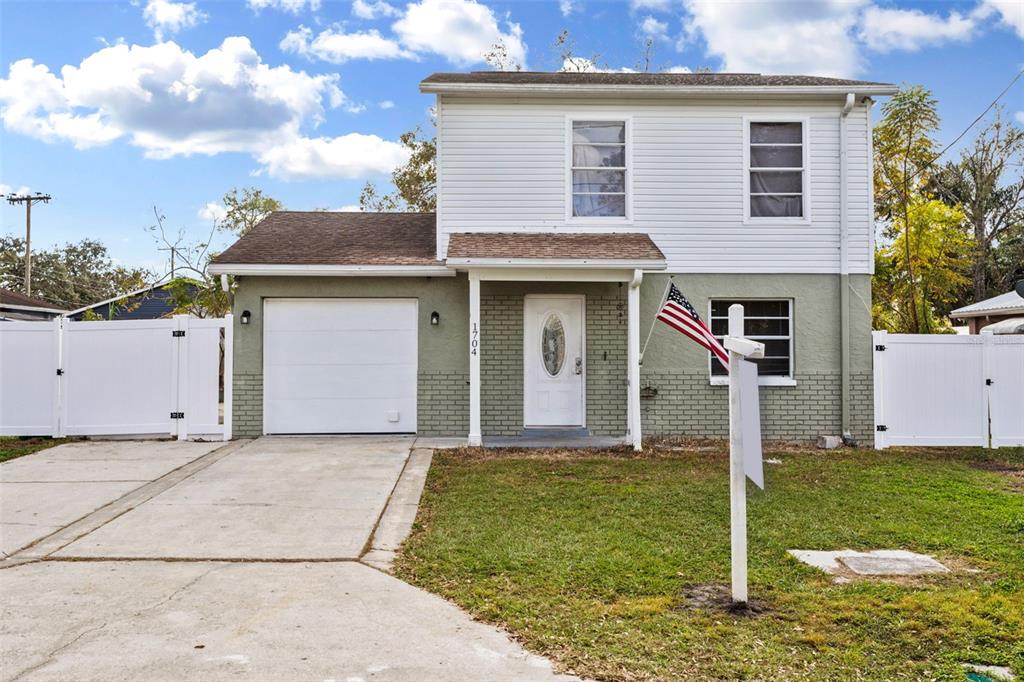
(587, 558)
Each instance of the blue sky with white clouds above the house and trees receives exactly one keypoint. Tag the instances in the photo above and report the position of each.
(114, 107)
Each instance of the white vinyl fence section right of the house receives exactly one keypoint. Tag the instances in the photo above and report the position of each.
(949, 391)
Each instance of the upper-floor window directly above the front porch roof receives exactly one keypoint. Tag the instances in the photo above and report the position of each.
(599, 169)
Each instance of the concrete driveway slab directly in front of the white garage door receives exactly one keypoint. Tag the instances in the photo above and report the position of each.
(276, 498)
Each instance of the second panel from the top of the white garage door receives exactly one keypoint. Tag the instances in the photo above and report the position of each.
(345, 348)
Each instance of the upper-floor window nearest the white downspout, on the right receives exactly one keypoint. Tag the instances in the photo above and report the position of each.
(776, 170)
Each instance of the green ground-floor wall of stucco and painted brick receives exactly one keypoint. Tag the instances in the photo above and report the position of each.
(675, 371)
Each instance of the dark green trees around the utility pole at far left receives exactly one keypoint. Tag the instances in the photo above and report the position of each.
(72, 276)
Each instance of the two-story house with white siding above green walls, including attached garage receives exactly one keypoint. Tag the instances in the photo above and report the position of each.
(566, 204)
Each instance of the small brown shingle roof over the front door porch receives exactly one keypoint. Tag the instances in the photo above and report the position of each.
(574, 246)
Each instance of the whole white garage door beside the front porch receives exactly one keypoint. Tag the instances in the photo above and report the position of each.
(339, 366)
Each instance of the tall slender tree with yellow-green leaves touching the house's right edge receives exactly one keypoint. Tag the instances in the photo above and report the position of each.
(905, 149)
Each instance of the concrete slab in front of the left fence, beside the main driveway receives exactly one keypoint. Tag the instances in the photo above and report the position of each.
(45, 492)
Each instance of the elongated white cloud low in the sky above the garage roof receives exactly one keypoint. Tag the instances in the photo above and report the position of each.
(350, 156)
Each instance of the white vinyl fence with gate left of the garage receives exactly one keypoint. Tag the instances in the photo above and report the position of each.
(146, 377)
